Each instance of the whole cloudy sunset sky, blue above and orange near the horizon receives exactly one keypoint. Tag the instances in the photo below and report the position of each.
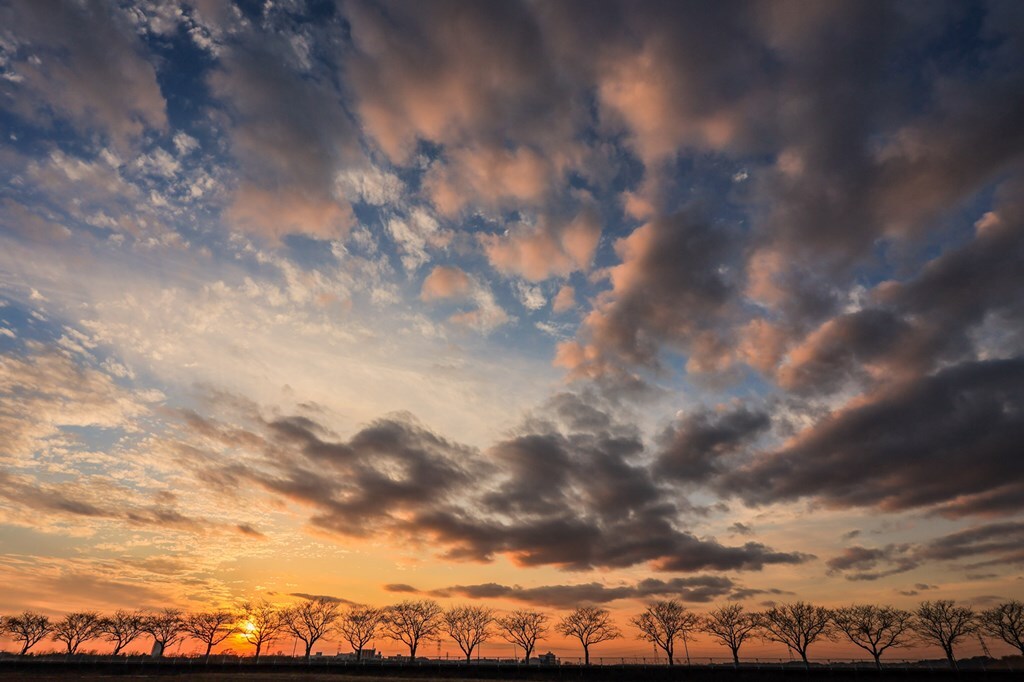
(525, 304)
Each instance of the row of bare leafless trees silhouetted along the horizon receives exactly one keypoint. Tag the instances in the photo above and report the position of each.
(799, 625)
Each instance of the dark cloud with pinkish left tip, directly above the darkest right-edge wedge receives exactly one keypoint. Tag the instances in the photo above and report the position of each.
(935, 318)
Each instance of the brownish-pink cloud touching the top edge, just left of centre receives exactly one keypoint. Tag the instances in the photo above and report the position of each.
(463, 77)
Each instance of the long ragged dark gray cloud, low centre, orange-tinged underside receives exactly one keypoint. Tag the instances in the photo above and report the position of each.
(553, 495)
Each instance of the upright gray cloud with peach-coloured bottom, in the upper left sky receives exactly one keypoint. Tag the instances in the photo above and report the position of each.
(291, 137)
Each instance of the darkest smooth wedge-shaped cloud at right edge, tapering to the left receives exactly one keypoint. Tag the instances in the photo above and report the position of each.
(949, 440)
